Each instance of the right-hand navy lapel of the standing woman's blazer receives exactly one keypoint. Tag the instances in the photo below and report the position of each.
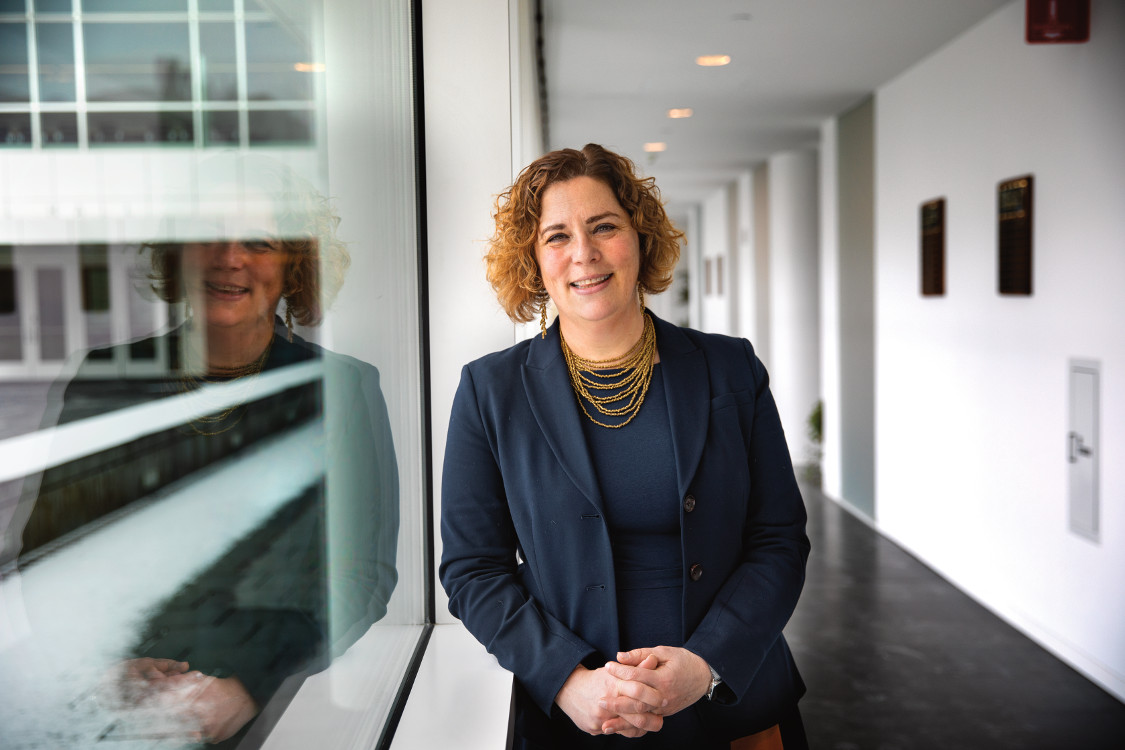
(689, 394)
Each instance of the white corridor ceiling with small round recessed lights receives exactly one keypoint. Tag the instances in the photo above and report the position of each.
(616, 67)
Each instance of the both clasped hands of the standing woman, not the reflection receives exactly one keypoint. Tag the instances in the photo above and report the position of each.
(633, 695)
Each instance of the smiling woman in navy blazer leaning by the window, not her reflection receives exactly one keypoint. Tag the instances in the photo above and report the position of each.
(622, 526)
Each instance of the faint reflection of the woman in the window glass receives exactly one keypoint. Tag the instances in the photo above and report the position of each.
(321, 570)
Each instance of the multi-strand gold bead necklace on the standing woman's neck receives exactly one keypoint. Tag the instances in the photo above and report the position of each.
(628, 376)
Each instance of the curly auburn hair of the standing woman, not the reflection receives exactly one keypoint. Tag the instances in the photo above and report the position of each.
(512, 268)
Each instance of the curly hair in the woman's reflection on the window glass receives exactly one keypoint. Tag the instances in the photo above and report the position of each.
(317, 258)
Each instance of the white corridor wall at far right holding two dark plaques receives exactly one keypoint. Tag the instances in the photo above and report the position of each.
(971, 387)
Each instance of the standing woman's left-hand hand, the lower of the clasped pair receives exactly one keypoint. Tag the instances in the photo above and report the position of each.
(600, 704)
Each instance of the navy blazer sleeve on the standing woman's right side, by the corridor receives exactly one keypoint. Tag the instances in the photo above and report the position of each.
(758, 599)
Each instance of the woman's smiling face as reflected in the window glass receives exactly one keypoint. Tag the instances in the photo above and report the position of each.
(238, 283)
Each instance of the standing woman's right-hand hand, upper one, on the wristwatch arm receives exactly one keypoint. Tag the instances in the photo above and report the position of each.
(679, 676)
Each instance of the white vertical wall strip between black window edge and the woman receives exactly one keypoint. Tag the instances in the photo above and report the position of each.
(469, 104)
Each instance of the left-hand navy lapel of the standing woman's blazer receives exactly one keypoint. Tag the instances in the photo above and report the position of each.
(553, 403)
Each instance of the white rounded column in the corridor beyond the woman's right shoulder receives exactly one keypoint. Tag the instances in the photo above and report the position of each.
(795, 287)
